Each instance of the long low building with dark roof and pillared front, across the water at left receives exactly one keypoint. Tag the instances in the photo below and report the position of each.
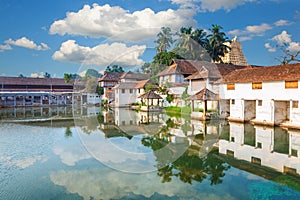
(16, 91)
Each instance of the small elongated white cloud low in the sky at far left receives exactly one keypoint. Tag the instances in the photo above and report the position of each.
(26, 43)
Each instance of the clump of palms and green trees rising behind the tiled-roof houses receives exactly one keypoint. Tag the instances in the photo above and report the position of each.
(189, 44)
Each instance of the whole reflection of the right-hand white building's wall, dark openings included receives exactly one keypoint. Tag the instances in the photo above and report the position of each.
(271, 147)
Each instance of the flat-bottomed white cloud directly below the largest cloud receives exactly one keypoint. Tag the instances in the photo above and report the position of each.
(101, 55)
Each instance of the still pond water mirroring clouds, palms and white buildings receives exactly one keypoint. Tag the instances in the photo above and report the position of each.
(62, 153)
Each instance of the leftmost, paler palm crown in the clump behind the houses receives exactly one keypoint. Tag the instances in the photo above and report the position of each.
(164, 40)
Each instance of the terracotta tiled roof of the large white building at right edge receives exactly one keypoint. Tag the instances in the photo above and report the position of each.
(257, 74)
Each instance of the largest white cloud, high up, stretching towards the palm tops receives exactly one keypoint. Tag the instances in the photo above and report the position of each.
(117, 23)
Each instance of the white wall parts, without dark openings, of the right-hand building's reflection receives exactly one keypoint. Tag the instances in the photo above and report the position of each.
(265, 136)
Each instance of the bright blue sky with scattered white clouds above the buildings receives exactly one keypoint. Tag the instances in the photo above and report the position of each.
(63, 36)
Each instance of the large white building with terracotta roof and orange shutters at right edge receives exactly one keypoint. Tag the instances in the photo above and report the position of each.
(264, 95)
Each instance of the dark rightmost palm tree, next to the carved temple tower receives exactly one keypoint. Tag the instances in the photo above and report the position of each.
(216, 47)
